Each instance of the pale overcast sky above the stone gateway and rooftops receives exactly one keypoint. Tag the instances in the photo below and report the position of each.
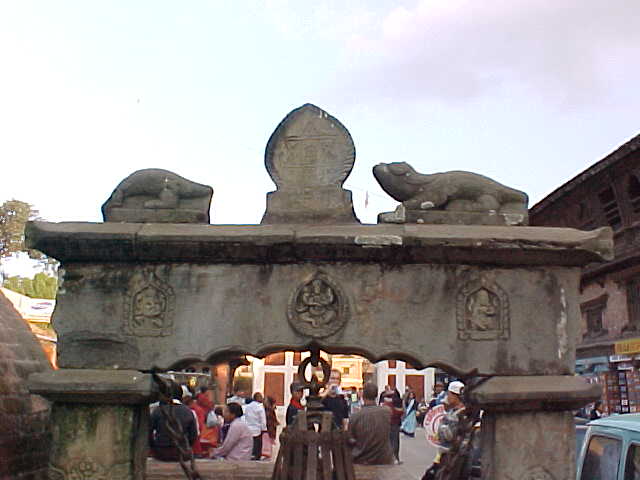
(529, 92)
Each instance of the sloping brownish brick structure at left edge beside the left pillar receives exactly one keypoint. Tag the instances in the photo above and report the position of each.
(24, 418)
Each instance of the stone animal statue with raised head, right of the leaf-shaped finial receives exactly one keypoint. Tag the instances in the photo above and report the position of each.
(451, 197)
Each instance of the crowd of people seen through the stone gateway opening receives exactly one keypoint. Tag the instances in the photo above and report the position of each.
(245, 428)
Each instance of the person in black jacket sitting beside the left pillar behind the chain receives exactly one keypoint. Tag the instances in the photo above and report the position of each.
(162, 446)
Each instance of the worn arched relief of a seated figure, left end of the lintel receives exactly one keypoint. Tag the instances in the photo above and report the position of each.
(148, 306)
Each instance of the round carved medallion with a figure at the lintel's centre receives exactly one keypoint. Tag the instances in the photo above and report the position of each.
(318, 307)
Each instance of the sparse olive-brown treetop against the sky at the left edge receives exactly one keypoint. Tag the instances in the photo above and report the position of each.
(14, 214)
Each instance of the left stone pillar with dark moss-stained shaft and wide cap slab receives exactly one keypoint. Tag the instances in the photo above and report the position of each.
(100, 422)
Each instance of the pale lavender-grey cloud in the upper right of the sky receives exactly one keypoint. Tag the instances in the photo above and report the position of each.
(571, 52)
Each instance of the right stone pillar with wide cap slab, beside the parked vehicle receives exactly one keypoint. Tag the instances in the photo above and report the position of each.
(528, 432)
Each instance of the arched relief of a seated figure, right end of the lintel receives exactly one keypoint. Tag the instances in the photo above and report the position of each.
(482, 311)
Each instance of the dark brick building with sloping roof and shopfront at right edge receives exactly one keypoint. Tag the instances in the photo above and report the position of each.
(606, 194)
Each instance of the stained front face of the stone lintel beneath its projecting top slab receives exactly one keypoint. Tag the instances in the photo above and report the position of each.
(413, 310)
